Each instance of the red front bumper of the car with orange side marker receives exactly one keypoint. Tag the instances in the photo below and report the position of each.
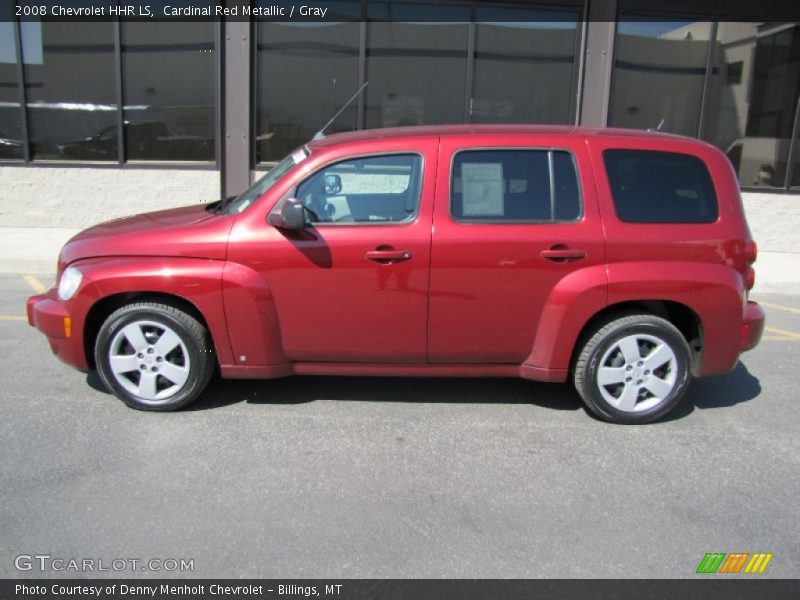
(47, 314)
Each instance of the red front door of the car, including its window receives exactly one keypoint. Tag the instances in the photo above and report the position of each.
(353, 286)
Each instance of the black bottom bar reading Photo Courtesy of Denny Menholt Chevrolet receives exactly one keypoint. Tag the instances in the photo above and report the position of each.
(733, 588)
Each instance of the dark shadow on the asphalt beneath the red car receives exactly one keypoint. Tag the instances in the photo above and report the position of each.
(713, 392)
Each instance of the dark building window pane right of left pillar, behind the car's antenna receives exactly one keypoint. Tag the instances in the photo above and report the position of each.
(306, 72)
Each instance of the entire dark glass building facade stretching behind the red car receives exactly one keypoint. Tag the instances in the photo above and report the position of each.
(112, 93)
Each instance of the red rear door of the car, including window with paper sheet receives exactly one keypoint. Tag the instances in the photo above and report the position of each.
(512, 221)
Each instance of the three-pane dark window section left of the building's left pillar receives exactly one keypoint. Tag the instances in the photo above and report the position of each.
(107, 92)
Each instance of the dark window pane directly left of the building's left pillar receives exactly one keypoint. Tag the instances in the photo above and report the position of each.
(168, 89)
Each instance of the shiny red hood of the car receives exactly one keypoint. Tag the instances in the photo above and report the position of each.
(188, 232)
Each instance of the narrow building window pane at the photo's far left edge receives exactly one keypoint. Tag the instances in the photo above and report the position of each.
(10, 124)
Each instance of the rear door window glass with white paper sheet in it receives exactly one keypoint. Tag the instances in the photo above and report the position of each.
(514, 186)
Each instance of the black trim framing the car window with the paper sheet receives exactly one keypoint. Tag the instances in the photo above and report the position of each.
(551, 173)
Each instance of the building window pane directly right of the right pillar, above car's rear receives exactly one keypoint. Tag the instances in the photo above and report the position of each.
(659, 72)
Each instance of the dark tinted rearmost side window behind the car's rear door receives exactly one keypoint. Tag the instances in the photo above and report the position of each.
(660, 187)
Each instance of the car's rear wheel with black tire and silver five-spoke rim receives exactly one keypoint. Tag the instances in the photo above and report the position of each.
(632, 400)
